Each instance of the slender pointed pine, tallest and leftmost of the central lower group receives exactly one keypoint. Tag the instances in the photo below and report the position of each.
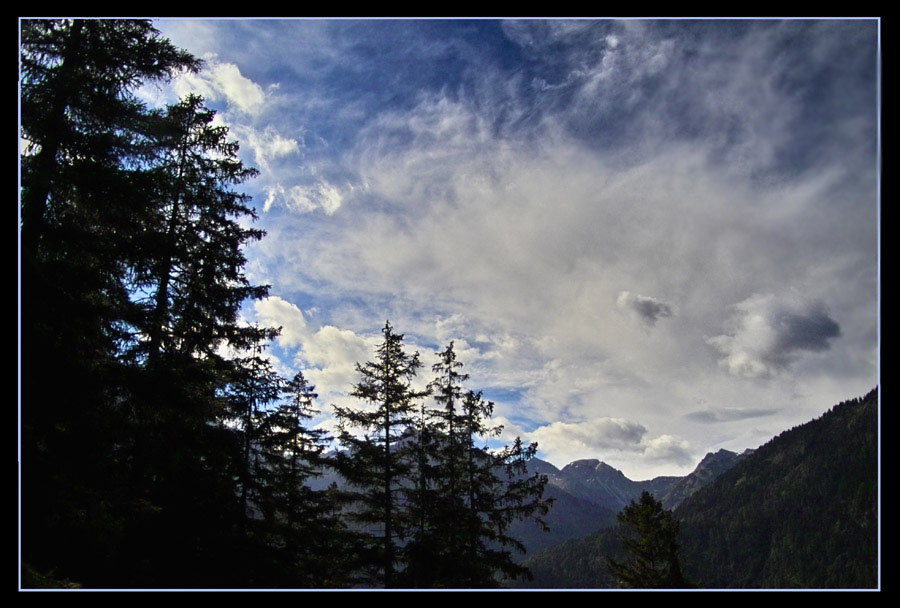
(377, 463)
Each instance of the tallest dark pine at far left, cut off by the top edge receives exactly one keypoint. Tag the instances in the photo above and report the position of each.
(87, 139)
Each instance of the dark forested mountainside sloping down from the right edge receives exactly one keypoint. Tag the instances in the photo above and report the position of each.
(799, 512)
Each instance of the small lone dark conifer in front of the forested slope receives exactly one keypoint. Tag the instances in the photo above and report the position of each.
(649, 535)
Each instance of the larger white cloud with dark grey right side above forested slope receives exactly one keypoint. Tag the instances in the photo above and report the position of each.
(768, 333)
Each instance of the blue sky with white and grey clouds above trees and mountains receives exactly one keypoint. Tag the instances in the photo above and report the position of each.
(648, 239)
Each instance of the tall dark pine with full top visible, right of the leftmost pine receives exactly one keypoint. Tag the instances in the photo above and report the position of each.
(187, 285)
